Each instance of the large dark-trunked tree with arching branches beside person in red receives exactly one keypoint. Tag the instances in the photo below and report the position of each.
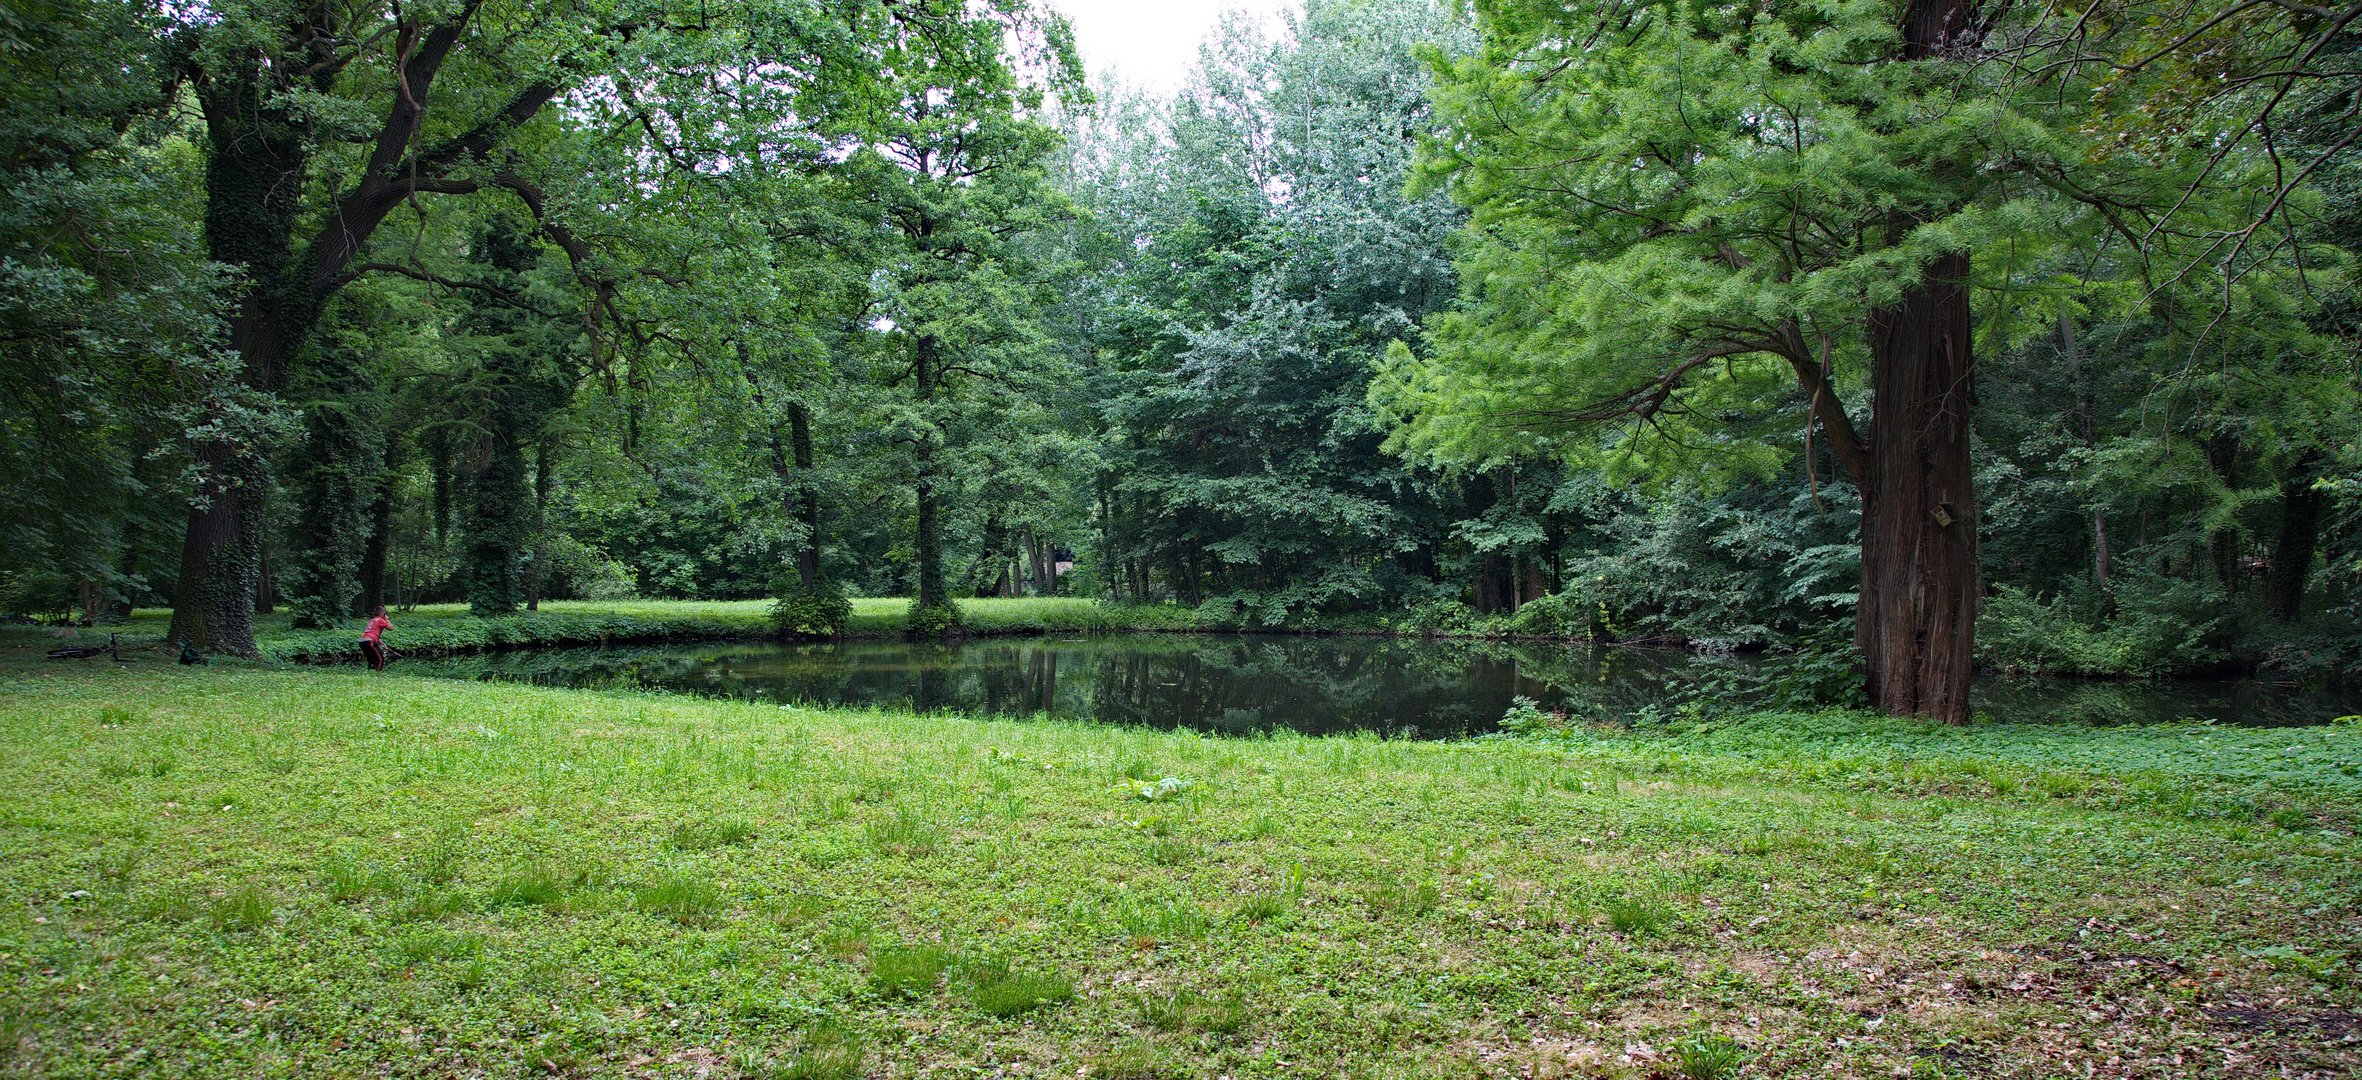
(327, 122)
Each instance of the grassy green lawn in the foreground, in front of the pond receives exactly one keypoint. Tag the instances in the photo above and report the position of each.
(320, 873)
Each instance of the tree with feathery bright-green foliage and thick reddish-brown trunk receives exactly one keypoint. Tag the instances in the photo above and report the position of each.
(1697, 219)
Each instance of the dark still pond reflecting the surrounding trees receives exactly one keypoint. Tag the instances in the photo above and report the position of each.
(1310, 684)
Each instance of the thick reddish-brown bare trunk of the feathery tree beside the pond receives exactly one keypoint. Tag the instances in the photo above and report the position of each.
(1919, 507)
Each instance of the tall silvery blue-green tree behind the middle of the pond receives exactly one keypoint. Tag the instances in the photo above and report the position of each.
(1260, 254)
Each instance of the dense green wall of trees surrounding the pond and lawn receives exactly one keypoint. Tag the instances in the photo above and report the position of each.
(1522, 318)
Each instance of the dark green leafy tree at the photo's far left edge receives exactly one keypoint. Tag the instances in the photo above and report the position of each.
(110, 332)
